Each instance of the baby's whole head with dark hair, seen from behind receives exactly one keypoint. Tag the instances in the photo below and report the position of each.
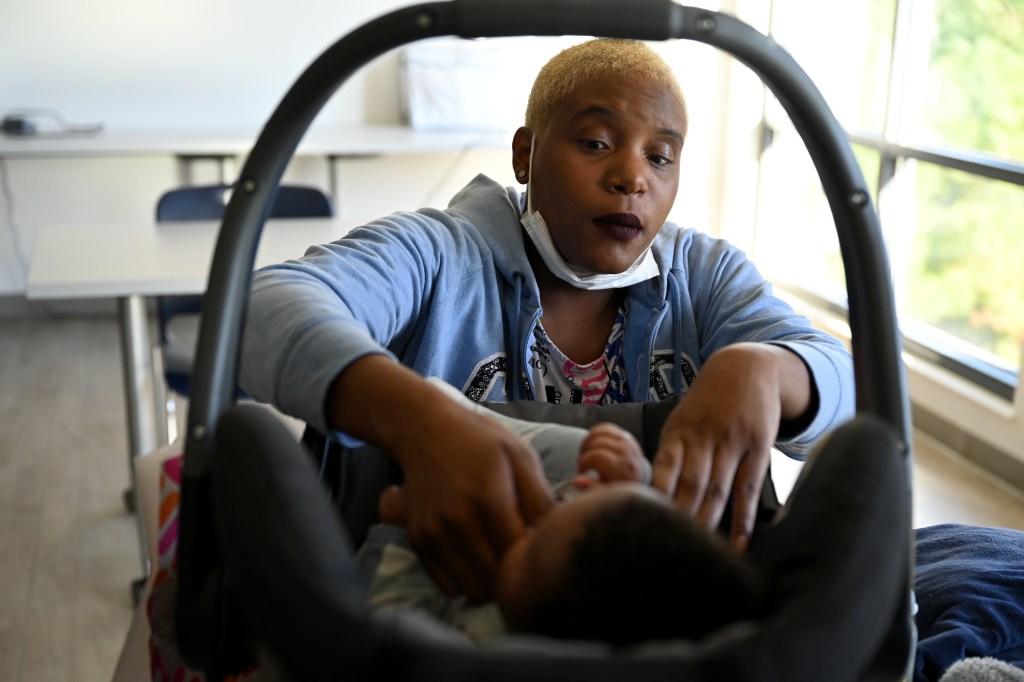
(623, 566)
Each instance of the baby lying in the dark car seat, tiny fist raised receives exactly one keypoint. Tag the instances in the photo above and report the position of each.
(615, 562)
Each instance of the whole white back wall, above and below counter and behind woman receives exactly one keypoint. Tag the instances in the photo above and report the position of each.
(226, 65)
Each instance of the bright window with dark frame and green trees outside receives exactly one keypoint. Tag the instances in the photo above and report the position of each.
(930, 95)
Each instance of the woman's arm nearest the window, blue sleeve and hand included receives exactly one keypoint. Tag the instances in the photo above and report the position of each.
(769, 378)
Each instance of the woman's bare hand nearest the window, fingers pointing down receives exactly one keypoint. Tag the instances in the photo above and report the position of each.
(718, 441)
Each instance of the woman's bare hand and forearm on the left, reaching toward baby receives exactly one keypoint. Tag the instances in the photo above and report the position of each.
(472, 488)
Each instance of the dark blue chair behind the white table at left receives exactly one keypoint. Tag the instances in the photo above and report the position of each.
(179, 316)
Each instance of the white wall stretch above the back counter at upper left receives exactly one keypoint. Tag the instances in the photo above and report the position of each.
(193, 64)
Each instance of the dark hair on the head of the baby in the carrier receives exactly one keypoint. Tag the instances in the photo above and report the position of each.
(644, 571)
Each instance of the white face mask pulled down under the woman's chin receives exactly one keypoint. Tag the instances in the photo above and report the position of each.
(643, 269)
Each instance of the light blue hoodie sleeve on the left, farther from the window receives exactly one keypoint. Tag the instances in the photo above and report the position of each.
(310, 319)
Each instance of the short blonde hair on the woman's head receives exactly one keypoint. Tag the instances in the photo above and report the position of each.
(572, 68)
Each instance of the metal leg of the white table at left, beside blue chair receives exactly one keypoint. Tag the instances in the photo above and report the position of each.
(140, 404)
